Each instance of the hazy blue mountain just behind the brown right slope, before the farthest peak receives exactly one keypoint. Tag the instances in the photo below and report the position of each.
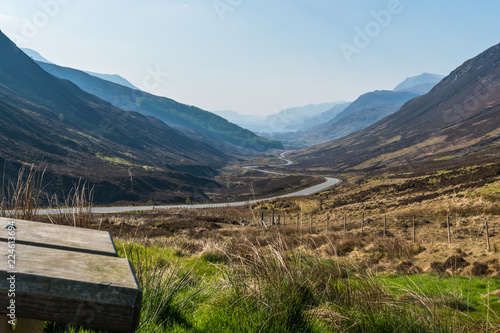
(366, 110)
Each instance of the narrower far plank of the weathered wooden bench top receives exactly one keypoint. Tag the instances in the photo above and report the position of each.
(60, 237)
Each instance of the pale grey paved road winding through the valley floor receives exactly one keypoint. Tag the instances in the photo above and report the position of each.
(329, 182)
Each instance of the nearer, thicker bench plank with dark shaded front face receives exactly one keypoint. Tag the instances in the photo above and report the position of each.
(72, 287)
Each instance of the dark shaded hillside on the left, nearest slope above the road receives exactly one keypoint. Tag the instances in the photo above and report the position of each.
(126, 155)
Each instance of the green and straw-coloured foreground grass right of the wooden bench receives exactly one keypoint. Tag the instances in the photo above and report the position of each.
(243, 286)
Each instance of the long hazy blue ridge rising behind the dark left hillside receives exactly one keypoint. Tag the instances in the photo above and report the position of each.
(165, 109)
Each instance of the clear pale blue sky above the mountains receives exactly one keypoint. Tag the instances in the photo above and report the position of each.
(256, 56)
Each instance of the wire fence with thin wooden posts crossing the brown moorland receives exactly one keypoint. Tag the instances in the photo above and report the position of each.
(415, 228)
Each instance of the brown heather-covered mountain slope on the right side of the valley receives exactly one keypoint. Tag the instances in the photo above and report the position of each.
(457, 122)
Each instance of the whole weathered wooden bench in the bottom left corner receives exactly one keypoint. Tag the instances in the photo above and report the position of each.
(66, 275)
